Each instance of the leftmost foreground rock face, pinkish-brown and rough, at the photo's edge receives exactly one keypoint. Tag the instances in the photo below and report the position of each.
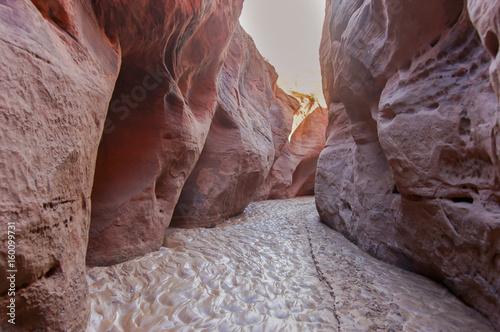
(57, 75)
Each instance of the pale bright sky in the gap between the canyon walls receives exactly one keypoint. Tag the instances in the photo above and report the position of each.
(288, 34)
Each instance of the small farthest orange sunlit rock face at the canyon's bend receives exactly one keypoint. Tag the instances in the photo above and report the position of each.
(293, 173)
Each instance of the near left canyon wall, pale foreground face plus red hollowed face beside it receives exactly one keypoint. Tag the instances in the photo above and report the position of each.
(123, 91)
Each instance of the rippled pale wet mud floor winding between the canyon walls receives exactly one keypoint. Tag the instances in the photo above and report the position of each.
(274, 268)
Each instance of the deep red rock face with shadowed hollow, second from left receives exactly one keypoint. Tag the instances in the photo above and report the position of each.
(158, 118)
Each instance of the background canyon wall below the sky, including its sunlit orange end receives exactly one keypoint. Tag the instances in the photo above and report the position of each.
(249, 134)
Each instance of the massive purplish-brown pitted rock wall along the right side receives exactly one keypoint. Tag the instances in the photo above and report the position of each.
(410, 169)
